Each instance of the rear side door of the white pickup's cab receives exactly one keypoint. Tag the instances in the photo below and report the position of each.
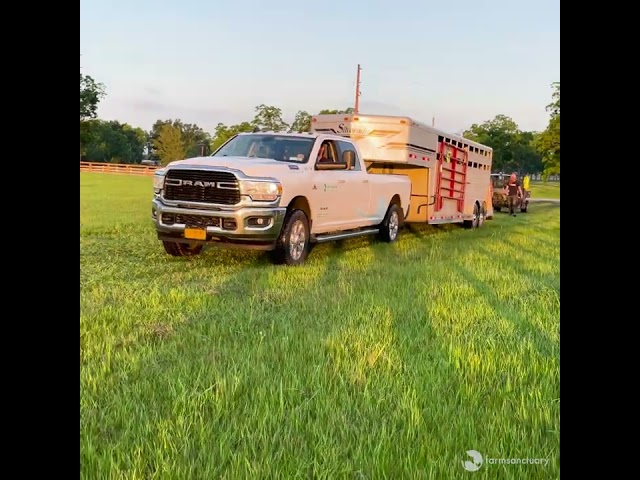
(357, 206)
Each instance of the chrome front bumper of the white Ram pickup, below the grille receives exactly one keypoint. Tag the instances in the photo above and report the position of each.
(247, 227)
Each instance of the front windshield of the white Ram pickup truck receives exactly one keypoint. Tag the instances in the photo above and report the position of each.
(281, 148)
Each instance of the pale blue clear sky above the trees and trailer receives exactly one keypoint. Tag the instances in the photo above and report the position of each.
(208, 61)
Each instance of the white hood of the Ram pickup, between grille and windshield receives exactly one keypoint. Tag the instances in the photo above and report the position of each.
(250, 166)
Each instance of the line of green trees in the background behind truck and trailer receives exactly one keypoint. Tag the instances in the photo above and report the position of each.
(173, 139)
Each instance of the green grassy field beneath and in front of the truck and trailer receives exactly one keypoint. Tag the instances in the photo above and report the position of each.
(371, 361)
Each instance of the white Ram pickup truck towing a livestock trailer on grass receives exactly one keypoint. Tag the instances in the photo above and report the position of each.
(277, 192)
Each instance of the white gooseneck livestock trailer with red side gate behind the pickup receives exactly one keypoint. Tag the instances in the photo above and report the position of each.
(450, 175)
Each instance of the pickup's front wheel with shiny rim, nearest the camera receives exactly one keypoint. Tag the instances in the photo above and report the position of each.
(292, 246)
